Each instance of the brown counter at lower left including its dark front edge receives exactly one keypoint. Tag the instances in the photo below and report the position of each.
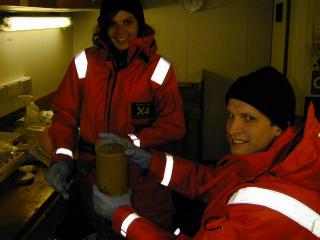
(24, 209)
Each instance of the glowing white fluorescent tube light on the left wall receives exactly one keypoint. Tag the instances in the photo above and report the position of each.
(32, 23)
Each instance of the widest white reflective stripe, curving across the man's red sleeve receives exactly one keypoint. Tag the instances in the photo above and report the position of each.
(279, 202)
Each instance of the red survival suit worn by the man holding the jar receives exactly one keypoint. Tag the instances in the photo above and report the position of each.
(268, 195)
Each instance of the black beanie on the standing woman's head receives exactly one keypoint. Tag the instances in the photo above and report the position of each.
(109, 9)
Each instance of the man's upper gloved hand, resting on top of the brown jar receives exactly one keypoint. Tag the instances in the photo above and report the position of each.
(135, 154)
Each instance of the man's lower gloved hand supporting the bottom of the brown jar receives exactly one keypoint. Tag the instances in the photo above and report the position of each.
(105, 205)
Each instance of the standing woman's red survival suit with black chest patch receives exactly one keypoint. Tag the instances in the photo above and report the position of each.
(141, 100)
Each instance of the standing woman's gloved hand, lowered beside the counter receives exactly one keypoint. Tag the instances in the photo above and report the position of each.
(57, 174)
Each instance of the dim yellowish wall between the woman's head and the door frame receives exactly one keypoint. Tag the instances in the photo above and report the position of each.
(225, 37)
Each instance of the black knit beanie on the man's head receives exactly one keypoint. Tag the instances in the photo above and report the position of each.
(268, 91)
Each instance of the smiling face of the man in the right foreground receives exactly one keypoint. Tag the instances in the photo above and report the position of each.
(248, 130)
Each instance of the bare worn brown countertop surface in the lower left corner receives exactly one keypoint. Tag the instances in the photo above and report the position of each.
(20, 205)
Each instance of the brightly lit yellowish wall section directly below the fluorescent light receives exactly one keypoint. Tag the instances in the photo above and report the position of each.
(40, 54)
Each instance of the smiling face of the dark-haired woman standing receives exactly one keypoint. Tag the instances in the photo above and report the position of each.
(123, 28)
